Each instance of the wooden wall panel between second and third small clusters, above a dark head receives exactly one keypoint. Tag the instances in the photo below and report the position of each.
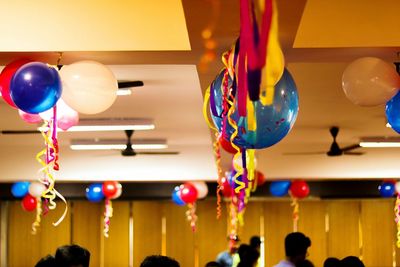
(147, 233)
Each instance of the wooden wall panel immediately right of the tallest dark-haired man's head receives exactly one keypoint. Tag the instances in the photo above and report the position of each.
(312, 224)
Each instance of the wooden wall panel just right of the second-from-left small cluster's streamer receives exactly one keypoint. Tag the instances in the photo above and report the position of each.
(116, 246)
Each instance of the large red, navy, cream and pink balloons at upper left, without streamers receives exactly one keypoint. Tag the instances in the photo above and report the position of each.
(33, 88)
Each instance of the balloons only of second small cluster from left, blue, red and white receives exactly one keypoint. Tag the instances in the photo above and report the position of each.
(98, 191)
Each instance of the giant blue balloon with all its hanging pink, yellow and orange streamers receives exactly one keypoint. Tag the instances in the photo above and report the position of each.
(253, 102)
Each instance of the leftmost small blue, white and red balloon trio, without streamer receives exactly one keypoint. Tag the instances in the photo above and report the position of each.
(29, 192)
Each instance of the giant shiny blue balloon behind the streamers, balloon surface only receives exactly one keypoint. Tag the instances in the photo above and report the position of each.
(273, 122)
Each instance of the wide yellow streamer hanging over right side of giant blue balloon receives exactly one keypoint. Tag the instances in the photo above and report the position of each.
(275, 63)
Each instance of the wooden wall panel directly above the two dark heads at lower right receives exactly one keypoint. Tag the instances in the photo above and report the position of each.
(343, 235)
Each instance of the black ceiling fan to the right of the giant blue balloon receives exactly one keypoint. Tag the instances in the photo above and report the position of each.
(334, 150)
